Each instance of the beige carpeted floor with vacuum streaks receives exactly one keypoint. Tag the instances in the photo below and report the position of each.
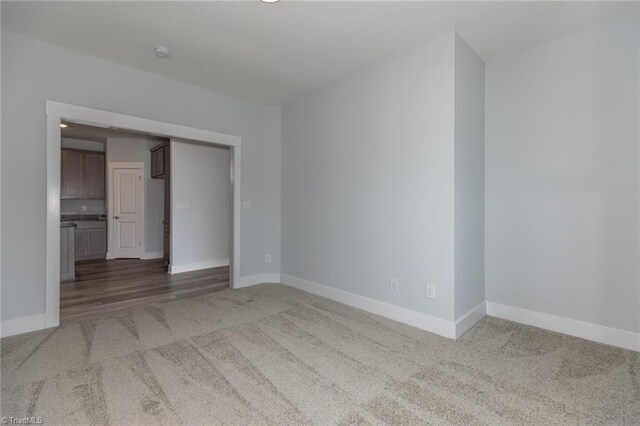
(272, 354)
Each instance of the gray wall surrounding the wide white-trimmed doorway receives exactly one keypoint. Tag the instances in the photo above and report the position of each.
(33, 71)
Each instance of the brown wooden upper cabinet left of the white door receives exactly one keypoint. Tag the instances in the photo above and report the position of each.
(82, 175)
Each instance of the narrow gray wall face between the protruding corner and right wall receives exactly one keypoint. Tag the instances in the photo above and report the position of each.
(469, 179)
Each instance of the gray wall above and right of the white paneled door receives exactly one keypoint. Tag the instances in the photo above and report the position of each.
(136, 149)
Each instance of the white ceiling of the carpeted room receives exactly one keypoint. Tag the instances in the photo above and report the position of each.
(274, 53)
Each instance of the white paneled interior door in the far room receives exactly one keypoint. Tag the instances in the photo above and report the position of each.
(127, 212)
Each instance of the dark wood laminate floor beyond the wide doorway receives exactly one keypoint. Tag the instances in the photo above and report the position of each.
(111, 285)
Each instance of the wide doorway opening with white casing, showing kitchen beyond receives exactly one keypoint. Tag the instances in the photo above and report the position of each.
(136, 224)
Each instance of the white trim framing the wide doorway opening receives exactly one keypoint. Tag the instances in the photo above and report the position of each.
(56, 112)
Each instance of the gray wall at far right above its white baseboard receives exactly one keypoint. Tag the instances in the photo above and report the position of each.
(562, 177)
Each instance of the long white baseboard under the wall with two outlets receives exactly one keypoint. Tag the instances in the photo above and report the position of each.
(406, 316)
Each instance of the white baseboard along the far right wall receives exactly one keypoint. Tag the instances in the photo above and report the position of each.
(597, 333)
